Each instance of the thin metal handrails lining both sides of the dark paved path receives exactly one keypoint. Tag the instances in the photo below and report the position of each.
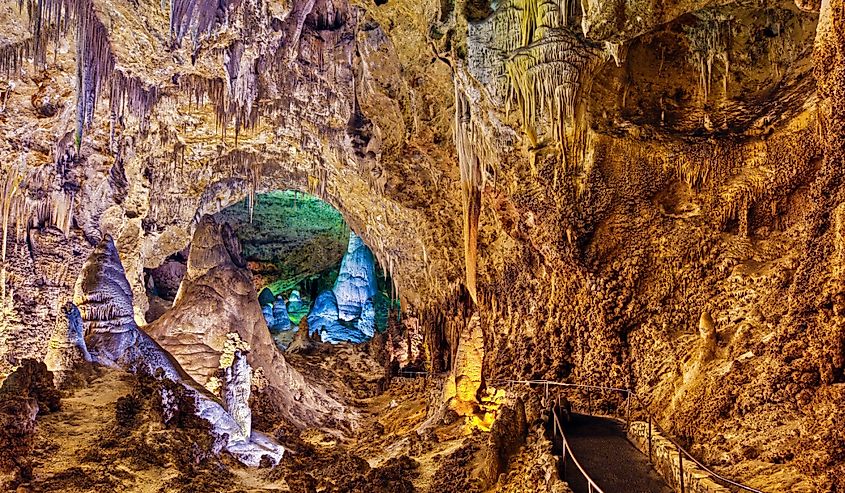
(652, 422)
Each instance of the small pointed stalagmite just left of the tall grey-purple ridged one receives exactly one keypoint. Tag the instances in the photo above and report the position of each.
(67, 352)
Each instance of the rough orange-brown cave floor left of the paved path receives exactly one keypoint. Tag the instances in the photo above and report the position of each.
(109, 437)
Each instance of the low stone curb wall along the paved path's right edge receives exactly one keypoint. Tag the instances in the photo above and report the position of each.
(665, 458)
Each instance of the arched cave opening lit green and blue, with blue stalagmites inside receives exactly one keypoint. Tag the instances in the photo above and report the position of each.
(307, 265)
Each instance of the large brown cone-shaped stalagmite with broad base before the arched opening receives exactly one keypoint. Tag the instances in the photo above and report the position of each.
(217, 298)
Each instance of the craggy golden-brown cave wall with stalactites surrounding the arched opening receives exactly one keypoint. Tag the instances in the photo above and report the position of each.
(628, 193)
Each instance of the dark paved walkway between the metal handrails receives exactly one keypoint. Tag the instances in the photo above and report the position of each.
(609, 458)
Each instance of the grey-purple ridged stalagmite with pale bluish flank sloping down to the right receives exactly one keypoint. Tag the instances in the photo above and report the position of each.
(115, 341)
